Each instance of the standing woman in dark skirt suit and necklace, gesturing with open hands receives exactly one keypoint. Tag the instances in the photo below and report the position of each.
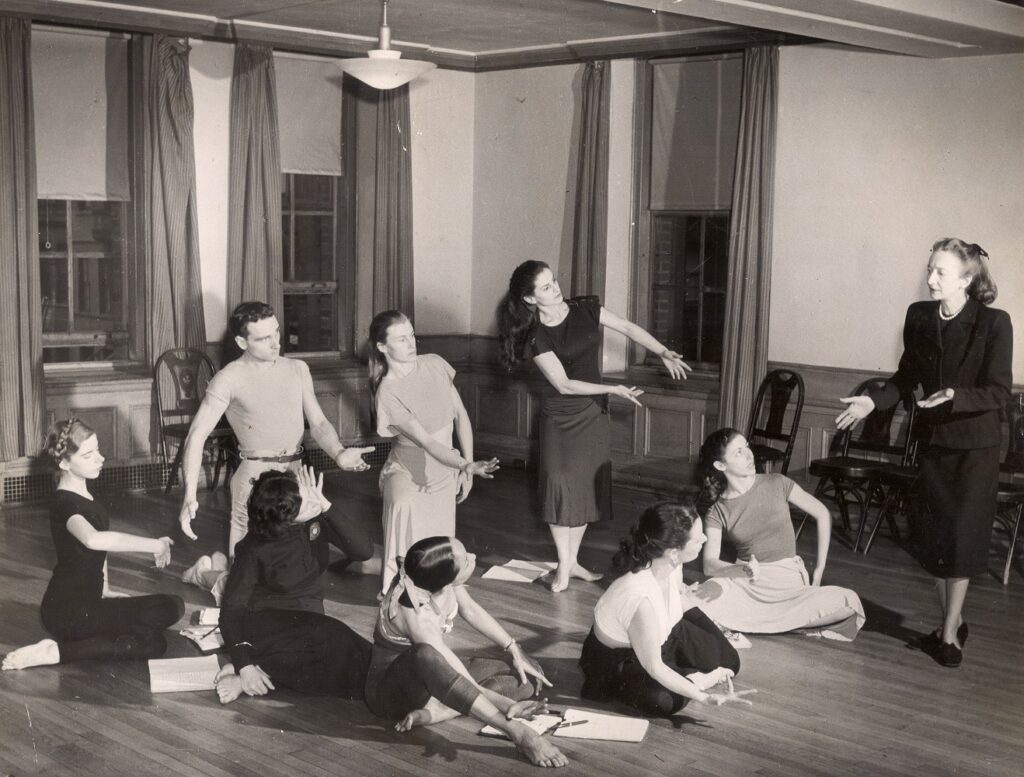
(960, 352)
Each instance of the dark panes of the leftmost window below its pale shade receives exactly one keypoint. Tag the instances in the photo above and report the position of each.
(81, 256)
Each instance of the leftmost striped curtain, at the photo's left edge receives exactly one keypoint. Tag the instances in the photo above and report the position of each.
(22, 388)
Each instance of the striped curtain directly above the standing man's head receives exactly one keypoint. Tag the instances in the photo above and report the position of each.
(254, 228)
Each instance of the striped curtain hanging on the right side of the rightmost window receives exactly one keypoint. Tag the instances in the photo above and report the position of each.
(745, 359)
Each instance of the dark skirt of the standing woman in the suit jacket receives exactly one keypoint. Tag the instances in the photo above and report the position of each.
(960, 489)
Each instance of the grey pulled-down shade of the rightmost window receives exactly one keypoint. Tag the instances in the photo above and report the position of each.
(695, 128)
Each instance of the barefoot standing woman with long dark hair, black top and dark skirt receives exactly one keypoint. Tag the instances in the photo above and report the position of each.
(564, 338)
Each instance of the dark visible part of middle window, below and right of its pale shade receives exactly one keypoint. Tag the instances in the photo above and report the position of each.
(319, 254)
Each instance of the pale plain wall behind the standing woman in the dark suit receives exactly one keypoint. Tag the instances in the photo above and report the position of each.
(878, 157)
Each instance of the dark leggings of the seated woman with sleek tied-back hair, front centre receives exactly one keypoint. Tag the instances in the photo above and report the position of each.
(403, 681)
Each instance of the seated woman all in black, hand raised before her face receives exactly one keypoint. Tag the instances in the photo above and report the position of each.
(273, 617)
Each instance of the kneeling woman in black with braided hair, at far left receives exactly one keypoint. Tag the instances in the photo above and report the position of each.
(89, 620)
